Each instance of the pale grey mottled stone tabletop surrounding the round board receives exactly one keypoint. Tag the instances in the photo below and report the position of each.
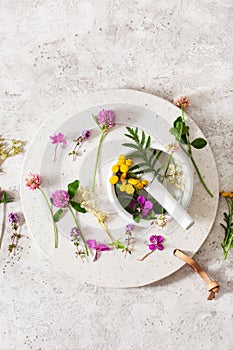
(54, 51)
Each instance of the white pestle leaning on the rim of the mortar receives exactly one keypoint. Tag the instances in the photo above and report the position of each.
(168, 202)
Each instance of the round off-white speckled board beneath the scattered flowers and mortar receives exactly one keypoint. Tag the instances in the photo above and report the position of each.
(112, 269)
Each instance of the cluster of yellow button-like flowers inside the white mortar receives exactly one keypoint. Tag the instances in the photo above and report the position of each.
(120, 170)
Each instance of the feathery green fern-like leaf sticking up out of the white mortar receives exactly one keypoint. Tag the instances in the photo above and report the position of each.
(141, 146)
